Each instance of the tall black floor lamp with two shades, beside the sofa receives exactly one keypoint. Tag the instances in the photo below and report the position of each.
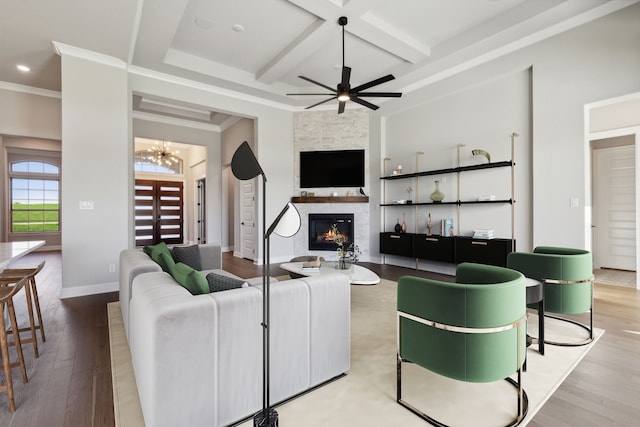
(244, 165)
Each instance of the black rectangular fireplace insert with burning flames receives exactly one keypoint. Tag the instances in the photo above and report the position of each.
(321, 234)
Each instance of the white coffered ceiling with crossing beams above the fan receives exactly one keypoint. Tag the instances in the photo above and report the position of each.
(418, 41)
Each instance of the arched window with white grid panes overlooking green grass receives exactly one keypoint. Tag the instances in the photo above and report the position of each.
(35, 196)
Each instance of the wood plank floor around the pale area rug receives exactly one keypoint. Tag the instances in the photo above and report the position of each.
(70, 383)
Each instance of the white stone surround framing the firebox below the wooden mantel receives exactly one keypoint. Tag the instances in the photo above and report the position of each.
(360, 213)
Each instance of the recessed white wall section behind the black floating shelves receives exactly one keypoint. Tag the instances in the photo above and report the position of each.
(482, 116)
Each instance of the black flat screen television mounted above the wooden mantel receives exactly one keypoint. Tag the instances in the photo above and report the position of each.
(335, 168)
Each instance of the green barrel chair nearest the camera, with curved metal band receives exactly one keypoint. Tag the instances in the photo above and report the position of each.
(473, 330)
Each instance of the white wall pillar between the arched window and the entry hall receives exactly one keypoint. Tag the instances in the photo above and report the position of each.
(96, 153)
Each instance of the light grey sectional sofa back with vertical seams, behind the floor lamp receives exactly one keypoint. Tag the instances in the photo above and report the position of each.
(198, 358)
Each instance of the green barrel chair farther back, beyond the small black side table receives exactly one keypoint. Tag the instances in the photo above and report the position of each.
(567, 275)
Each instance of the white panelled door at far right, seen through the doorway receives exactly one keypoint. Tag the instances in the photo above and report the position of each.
(614, 208)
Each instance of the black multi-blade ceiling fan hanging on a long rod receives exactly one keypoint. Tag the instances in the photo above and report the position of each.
(344, 92)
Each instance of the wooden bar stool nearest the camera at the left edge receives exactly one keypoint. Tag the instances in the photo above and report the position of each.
(7, 290)
